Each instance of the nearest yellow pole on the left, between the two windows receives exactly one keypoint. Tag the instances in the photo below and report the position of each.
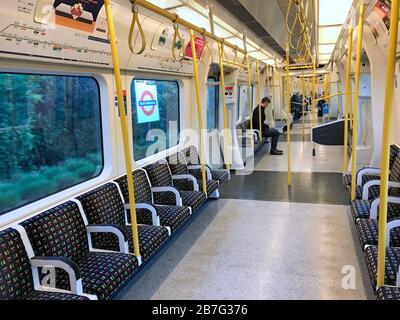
(124, 127)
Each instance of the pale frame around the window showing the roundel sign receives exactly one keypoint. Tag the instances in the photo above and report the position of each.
(154, 77)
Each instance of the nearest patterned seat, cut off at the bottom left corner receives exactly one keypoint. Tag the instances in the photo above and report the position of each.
(16, 280)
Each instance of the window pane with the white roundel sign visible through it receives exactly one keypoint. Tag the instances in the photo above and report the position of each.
(155, 116)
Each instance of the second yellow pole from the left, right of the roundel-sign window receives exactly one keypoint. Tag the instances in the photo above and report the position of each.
(199, 113)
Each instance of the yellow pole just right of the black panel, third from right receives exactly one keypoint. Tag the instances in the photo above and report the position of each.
(348, 99)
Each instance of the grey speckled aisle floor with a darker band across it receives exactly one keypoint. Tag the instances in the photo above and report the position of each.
(263, 240)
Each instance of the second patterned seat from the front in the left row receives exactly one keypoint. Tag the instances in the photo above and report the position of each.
(61, 232)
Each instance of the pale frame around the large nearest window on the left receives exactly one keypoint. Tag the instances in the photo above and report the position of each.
(48, 201)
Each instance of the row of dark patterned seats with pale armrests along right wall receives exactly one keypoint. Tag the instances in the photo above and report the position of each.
(365, 212)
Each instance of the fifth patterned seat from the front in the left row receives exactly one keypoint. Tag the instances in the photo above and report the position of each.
(160, 176)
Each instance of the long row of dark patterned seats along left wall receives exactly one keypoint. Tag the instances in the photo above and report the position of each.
(83, 249)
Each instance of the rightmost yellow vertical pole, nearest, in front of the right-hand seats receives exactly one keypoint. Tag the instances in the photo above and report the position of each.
(387, 128)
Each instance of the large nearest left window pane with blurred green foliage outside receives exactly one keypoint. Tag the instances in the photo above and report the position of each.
(50, 135)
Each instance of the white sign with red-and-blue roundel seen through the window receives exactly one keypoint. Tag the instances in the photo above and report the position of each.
(146, 101)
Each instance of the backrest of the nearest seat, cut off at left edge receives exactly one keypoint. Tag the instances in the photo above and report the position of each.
(15, 269)
